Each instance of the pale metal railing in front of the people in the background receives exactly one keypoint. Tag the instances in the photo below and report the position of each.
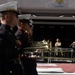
(51, 54)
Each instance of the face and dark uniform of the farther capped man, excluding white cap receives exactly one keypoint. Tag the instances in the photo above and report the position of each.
(23, 34)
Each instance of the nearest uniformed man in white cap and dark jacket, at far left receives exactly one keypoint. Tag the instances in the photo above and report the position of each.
(8, 44)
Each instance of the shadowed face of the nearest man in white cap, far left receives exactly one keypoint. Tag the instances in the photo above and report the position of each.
(11, 18)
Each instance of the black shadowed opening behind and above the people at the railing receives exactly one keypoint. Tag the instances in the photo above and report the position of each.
(66, 33)
